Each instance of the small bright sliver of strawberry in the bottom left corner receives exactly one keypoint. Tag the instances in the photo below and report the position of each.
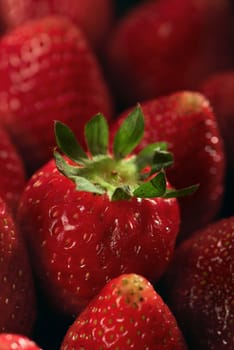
(10, 341)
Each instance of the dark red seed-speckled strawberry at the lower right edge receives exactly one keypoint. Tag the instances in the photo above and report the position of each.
(200, 284)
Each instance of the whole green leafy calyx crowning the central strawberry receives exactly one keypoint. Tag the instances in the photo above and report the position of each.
(118, 174)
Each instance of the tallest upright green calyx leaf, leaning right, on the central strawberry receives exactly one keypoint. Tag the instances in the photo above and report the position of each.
(129, 134)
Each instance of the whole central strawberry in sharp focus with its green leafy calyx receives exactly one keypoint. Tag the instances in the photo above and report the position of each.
(90, 221)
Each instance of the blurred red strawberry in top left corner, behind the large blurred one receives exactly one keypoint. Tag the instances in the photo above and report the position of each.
(95, 17)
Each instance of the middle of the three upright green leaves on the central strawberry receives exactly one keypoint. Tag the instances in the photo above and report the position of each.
(96, 134)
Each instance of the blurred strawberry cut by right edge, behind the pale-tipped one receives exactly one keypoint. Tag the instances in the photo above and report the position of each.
(218, 88)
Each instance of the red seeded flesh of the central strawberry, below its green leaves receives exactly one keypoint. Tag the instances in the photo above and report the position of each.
(79, 241)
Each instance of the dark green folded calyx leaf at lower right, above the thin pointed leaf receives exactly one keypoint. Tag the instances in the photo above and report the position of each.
(153, 188)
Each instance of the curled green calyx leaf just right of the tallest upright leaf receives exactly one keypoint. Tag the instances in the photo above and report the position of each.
(146, 155)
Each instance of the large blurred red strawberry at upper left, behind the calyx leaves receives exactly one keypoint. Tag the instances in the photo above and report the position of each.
(47, 72)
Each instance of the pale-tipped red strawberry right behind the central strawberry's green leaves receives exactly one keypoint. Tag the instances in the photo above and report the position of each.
(185, 120)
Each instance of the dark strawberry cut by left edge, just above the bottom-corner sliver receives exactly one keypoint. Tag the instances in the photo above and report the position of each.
(17, 300)
